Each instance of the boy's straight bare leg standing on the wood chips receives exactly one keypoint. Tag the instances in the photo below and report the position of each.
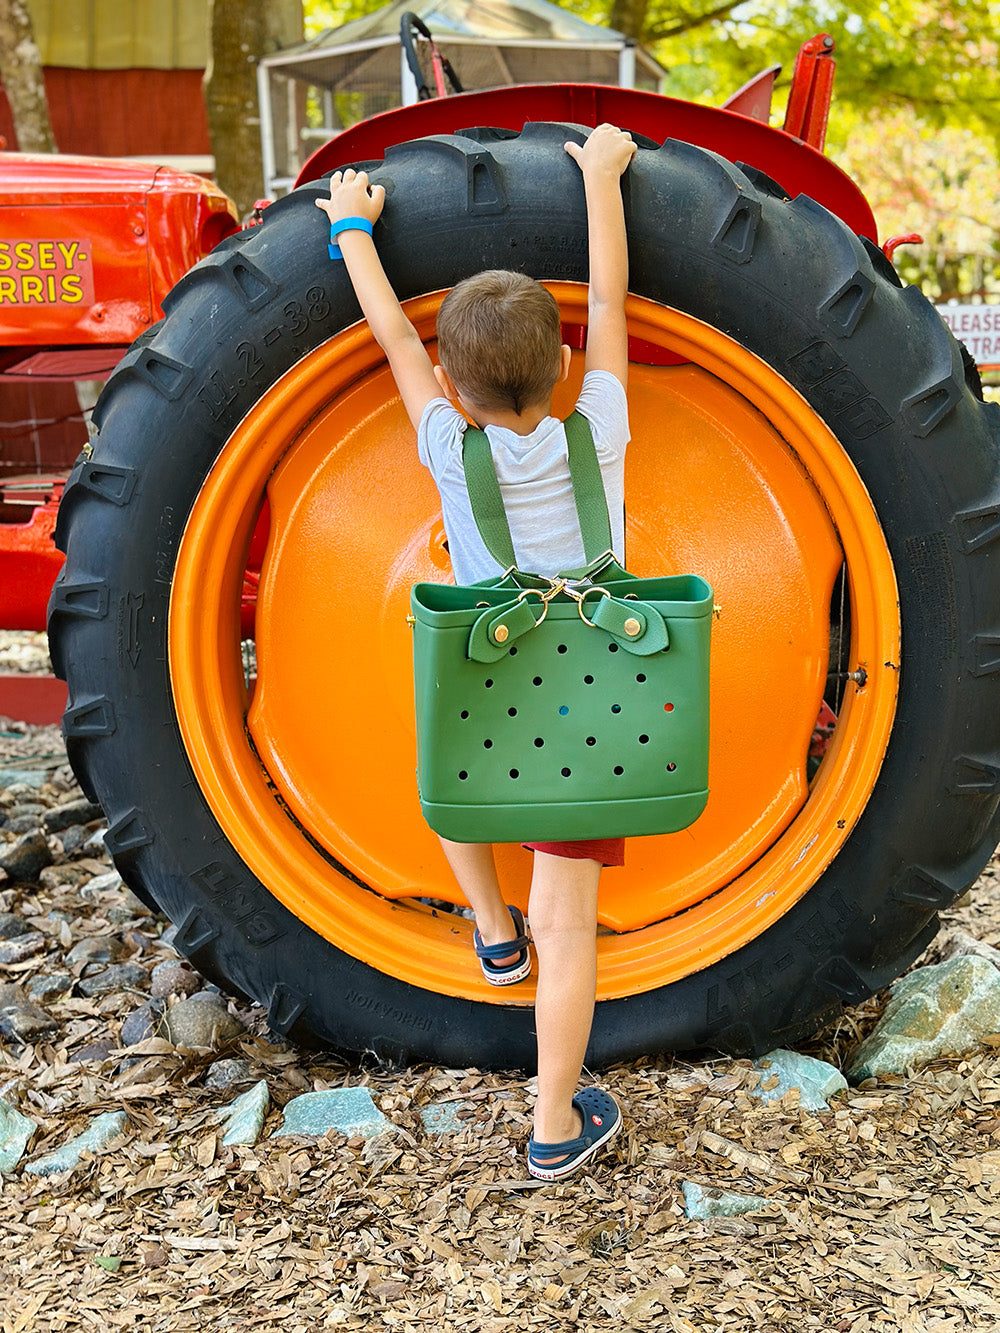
(565, 928)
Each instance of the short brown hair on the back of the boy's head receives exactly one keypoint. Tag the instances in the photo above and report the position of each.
(499, 339)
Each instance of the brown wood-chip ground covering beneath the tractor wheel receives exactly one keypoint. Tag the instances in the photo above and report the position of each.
(883, 1214)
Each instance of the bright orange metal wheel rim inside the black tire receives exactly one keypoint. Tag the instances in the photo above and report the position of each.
(313, 779)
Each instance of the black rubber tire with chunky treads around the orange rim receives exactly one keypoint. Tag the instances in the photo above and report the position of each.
(786, 279)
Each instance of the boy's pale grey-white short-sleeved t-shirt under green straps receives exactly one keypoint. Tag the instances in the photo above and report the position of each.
(534, 475)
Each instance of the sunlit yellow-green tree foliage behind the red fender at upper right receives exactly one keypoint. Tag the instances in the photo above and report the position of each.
(917, 102)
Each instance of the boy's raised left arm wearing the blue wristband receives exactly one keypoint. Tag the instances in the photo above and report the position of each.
(351, 197)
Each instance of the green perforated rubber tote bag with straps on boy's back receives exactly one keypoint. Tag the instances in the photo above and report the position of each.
(555, 710)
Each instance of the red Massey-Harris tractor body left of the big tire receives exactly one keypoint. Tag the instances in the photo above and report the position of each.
(89, 250)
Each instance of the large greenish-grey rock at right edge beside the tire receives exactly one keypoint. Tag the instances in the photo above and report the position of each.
(945, 1010)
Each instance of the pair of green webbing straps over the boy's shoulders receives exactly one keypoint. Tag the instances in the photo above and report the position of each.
(586, 478)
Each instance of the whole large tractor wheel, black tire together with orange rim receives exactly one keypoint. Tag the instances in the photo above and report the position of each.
(814, 451)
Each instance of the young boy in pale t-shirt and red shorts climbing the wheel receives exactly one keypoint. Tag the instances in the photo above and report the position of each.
(502, 358)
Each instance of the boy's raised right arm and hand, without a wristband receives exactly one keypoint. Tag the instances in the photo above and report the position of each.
(603, 161)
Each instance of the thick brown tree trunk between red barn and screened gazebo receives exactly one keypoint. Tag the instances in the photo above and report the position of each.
(243, 31)
